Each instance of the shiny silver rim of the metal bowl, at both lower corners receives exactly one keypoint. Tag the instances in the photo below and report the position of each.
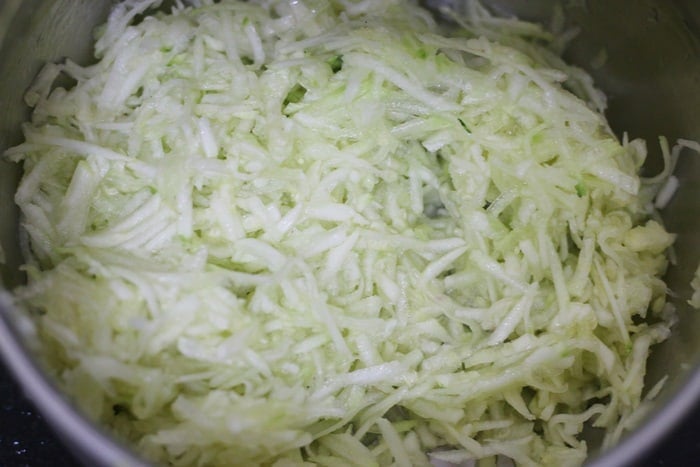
(94, 446)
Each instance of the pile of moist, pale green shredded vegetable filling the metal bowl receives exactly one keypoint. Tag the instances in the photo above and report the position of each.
(338, 233)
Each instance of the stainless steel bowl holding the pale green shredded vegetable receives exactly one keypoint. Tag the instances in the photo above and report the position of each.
(651, 76)
